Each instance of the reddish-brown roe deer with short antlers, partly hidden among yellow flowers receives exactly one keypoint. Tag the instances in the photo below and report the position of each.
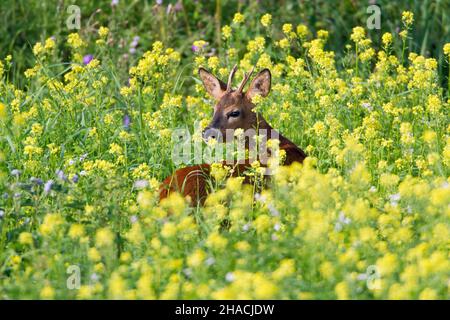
(233, 110)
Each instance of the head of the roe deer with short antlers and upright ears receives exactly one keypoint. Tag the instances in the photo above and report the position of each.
(234, 108)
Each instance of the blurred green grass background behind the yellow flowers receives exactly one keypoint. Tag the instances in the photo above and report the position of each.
(180, 22)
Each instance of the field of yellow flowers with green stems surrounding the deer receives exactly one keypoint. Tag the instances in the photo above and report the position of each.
(83, 151)
